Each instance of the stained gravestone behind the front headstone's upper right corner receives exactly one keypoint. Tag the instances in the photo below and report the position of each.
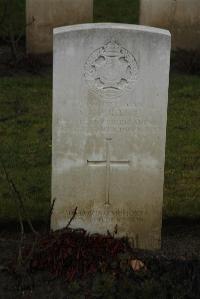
(180, 17)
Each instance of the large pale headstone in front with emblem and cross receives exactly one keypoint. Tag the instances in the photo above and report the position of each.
(110, 94)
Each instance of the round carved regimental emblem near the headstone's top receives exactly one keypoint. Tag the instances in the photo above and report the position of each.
(111, 70)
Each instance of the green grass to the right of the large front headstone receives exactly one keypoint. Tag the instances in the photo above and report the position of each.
(182, 175)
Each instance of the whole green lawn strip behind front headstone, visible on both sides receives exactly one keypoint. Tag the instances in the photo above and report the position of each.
(26, 145)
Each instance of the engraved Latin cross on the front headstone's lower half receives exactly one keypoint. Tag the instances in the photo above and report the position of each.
(108, 163)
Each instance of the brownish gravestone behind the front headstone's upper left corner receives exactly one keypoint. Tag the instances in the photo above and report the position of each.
(43, 15)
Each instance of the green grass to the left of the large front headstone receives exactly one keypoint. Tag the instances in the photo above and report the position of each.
(26, 142)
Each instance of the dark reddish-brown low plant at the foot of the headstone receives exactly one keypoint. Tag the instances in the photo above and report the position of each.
(74, 254)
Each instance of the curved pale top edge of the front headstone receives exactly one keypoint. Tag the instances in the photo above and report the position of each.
(122, 26)
